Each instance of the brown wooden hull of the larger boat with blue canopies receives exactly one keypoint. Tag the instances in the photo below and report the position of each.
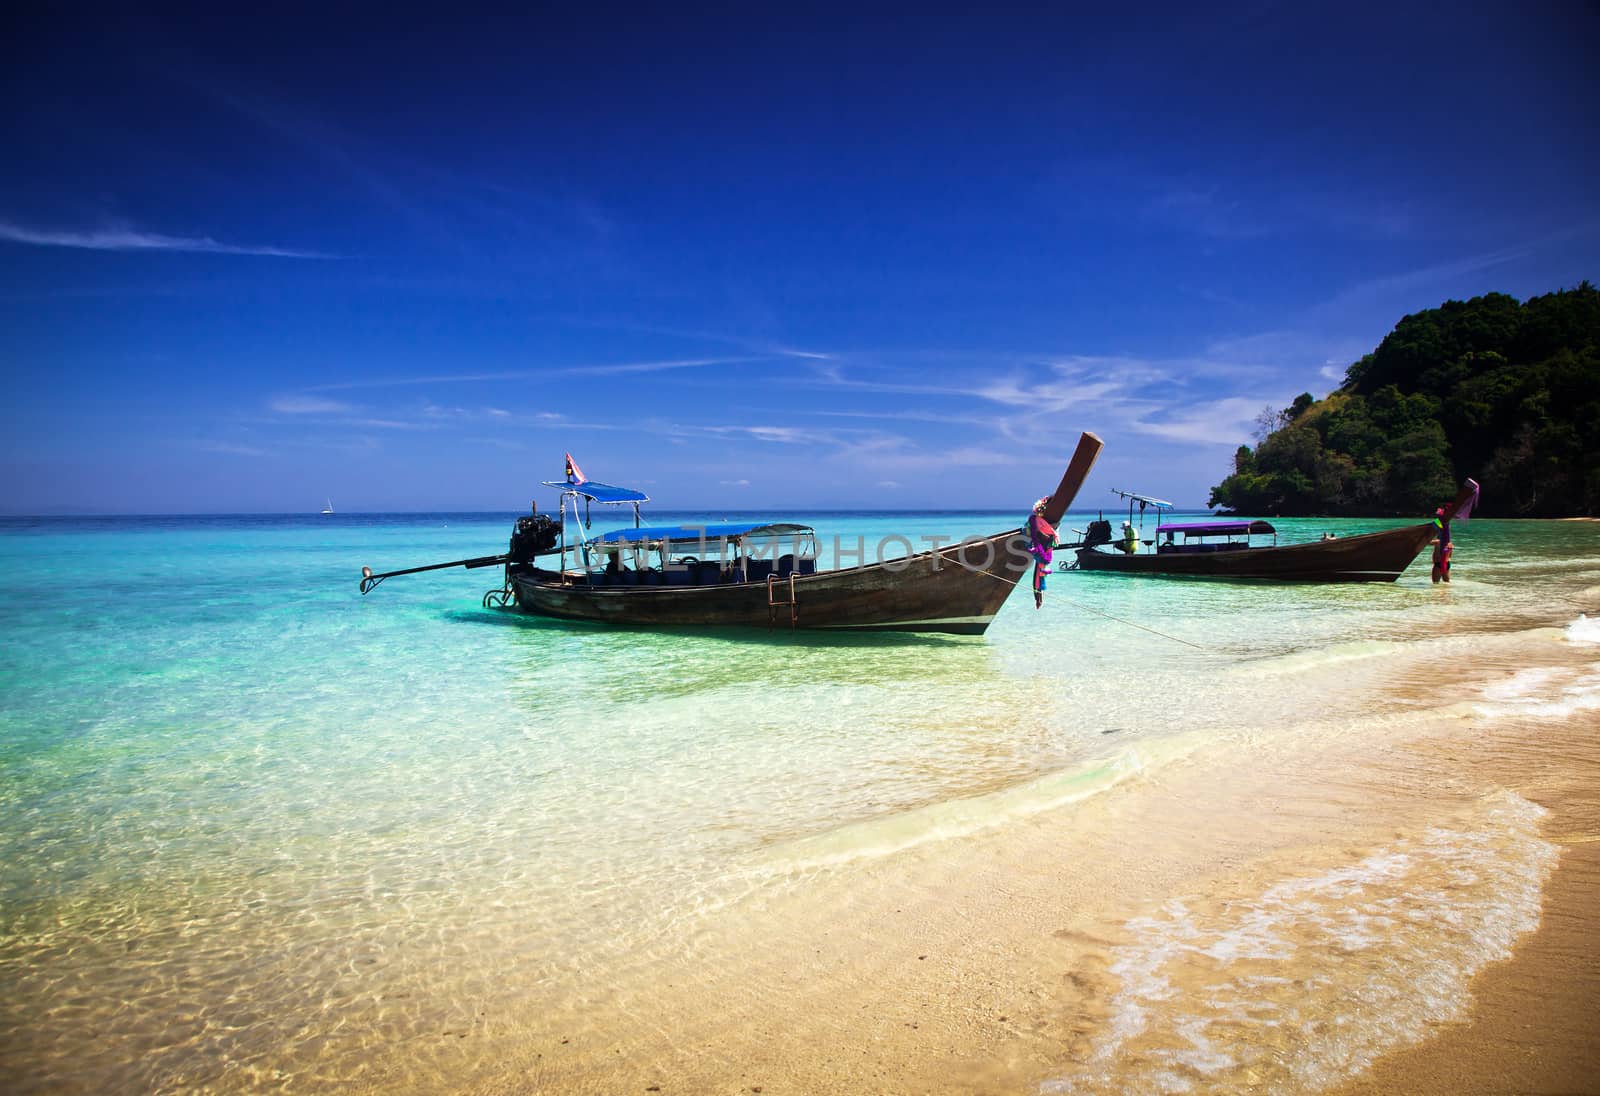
(956, 591)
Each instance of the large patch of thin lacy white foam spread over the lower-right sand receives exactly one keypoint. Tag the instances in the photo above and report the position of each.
(1306, 983)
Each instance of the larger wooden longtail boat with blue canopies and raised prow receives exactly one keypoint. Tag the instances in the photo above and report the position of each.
(762, 575)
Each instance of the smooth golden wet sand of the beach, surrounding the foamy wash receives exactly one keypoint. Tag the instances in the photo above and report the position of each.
(986, 967)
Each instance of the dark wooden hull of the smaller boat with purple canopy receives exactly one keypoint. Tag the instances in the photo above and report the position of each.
(1374, 558)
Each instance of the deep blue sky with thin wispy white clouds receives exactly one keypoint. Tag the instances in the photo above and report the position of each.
(743, 257)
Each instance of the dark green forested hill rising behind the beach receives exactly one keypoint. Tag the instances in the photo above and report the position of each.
(1503, 391)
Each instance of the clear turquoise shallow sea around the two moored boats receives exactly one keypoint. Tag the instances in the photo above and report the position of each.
(258, 831)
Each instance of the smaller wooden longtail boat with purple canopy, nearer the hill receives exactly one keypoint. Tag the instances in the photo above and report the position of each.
(1225, 550)
